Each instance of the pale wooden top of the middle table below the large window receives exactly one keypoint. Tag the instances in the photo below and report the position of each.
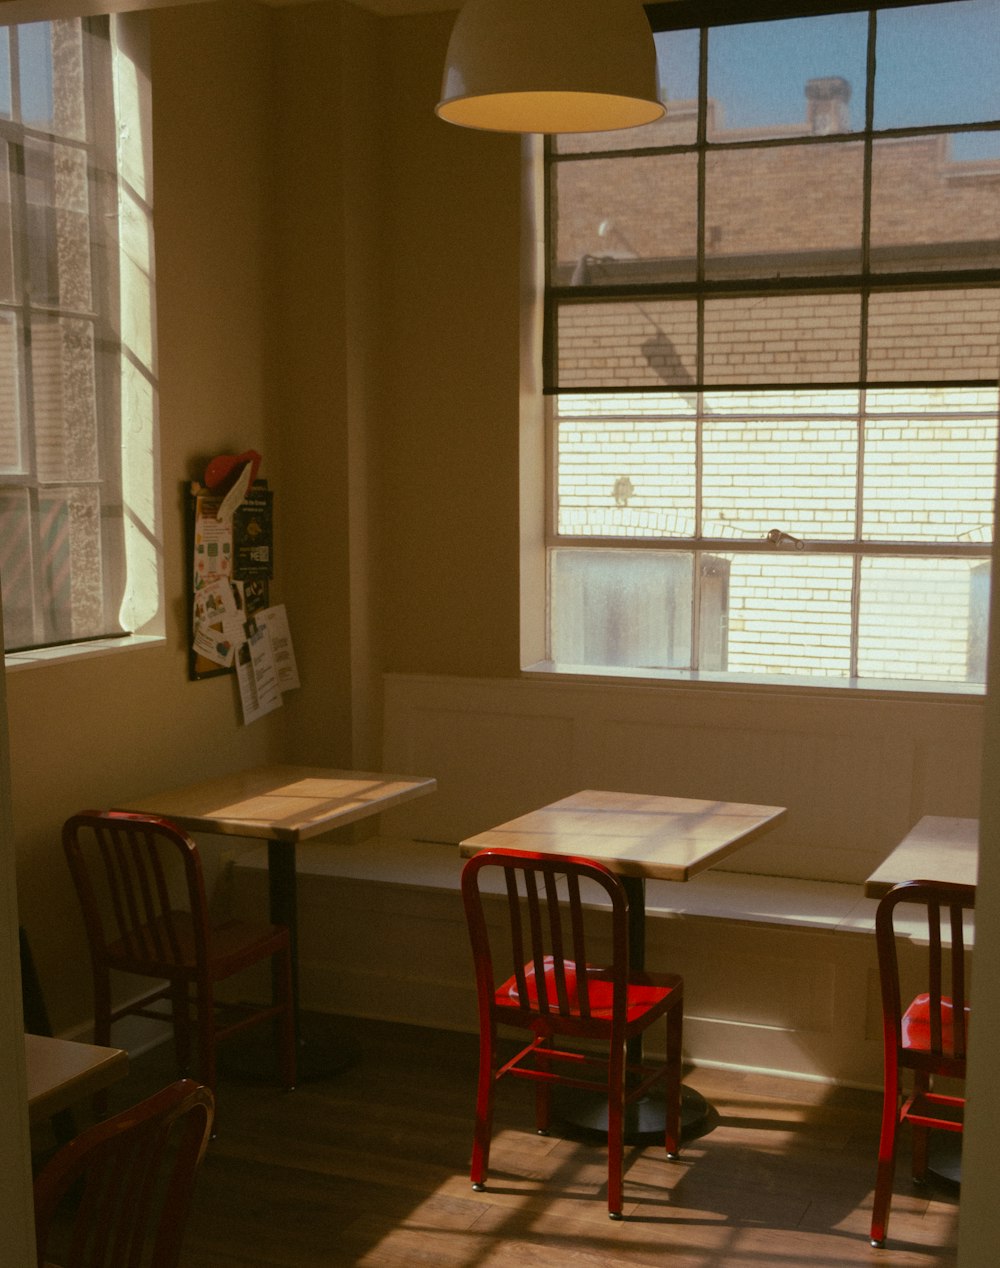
(636, 835)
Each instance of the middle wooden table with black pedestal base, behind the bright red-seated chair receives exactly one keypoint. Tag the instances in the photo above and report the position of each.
(637, 836)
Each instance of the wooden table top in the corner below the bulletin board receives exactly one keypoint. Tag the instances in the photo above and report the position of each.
(282, 803)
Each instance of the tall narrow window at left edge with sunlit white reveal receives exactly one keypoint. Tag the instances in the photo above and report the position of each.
(75, 335)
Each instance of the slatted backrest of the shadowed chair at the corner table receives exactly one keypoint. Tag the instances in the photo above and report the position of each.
(127, 869)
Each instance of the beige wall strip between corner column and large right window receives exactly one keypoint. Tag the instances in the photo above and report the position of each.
(449, 436)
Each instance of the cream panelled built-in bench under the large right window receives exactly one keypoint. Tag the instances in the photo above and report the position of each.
(775, 947)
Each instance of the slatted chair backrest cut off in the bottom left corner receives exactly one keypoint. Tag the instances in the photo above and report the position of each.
(119, 1195)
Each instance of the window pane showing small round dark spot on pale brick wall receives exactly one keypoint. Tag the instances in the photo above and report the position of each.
(627, 477)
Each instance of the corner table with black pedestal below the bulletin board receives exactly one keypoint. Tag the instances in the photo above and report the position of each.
(285, 806)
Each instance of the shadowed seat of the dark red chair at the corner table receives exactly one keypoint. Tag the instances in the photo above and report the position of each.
(233, 944)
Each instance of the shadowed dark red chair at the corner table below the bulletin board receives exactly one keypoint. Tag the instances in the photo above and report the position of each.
(126, 869)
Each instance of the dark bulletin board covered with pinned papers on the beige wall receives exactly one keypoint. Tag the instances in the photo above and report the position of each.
(233, 567)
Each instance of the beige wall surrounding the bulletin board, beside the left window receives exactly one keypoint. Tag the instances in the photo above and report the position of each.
(99, 731)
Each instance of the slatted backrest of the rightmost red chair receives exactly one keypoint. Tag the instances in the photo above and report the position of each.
(939, 1035)
